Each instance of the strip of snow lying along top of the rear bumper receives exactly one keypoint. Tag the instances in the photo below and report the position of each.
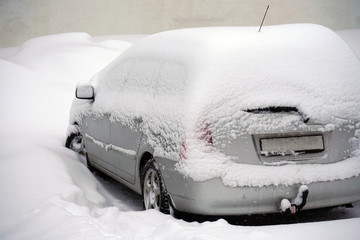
(234, 175)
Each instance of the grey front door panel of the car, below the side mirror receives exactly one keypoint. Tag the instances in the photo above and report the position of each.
(97, 141)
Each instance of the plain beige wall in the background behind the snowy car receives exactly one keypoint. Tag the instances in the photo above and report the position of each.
(21, 20)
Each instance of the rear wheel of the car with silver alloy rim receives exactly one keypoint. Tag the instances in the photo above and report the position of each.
(154, 194)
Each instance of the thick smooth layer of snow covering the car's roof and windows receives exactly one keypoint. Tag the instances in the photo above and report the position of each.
(306, 66)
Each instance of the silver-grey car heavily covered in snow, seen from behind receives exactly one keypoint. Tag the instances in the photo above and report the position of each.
(227, 120)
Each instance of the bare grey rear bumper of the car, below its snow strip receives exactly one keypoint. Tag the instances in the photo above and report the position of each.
(212, 197)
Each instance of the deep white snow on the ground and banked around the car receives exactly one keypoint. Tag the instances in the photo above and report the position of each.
(46, 191)
